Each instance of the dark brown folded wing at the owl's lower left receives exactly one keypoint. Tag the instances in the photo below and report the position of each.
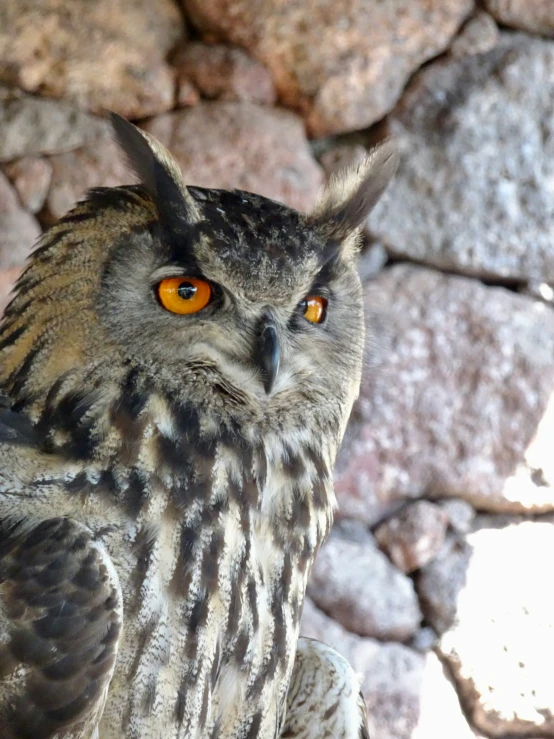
(60, 620)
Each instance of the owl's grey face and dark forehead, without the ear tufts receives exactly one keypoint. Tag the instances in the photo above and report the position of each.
(251, 299)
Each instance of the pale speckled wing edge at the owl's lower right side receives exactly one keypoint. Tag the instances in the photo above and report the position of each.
(324, 700)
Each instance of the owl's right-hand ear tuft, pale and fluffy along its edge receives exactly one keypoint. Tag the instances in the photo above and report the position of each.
(351, 195)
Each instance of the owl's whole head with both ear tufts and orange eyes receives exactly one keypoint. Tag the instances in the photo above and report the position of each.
(226, 299)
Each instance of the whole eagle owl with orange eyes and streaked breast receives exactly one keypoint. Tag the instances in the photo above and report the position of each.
(177, 365)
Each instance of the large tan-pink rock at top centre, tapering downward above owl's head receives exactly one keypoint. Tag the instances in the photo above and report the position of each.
(342, 64)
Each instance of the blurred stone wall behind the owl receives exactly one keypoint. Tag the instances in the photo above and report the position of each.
(437, 581)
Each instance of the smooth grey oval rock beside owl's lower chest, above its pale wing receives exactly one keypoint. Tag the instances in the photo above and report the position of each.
(357, 585)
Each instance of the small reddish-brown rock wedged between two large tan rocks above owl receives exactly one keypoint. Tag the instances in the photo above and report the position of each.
(223, 72)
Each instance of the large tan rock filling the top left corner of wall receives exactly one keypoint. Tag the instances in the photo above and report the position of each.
(107, 54)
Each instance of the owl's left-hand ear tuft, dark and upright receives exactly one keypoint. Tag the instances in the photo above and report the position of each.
(158, 171)
